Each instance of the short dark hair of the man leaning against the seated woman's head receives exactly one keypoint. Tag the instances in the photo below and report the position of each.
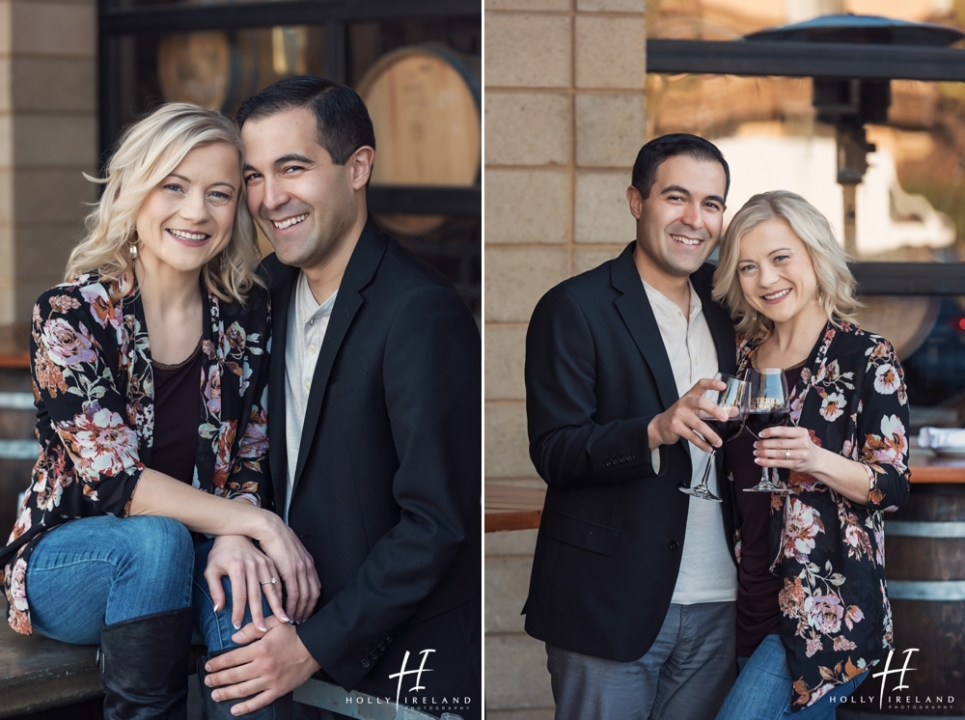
(343, 120)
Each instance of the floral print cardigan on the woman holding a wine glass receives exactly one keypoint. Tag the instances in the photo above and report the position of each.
(828, 550)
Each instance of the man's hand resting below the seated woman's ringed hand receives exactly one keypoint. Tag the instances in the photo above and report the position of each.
(270, 665)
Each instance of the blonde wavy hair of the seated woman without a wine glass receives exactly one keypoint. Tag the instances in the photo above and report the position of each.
(147, 152)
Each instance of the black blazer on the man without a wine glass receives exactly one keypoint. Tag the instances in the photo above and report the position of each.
(387, 485)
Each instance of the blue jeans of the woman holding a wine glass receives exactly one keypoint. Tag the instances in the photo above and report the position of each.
(763, 689)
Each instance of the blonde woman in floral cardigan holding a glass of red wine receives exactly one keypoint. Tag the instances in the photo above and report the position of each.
(812, 606)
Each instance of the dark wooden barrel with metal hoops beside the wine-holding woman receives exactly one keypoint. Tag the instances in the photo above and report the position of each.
(925, 567)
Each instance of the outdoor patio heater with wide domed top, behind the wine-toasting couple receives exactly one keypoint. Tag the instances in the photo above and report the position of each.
(850, 104)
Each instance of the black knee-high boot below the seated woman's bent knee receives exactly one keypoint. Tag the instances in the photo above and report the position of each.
(144, 666)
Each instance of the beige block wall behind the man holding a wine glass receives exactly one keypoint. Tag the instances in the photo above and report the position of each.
(565, 117)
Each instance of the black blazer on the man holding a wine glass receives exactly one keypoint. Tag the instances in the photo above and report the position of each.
(612, 531)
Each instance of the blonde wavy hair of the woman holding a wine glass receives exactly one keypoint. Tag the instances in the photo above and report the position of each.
(836, 284)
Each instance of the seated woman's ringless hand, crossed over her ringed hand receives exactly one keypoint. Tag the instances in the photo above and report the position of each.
(295, 566)
